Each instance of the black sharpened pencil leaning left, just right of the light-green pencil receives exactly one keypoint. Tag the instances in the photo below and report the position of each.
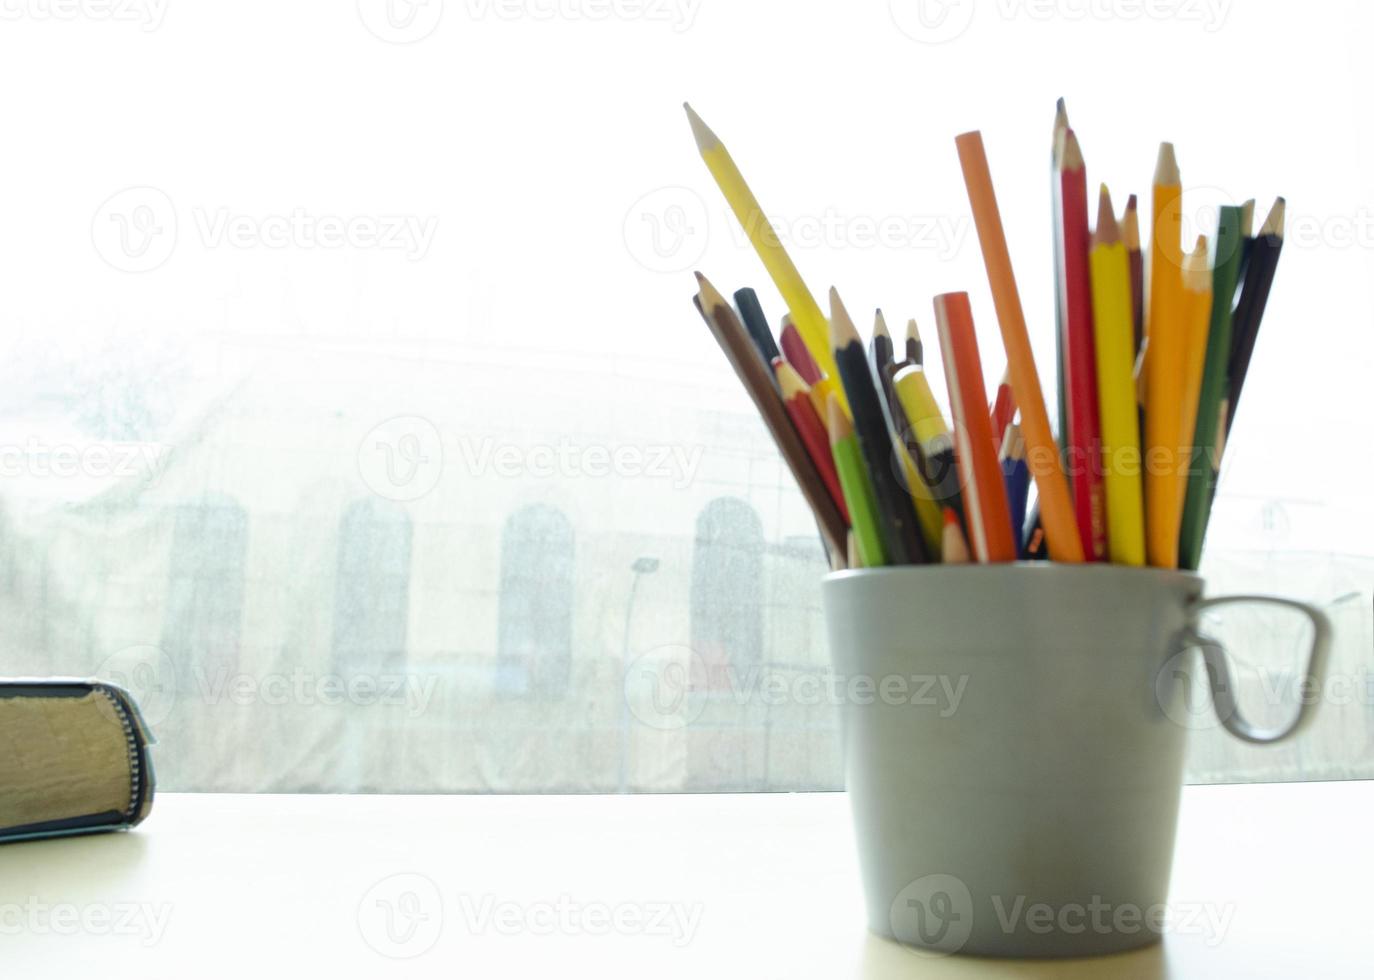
(897, 517)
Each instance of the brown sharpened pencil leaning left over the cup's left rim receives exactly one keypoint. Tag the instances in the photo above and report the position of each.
(734, 342)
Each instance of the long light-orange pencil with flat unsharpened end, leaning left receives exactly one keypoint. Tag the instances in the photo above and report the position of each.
(1042, 454)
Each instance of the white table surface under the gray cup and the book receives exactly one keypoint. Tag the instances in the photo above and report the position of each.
(715, 887)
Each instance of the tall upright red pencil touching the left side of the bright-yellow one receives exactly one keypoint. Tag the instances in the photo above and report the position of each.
(1085, 436)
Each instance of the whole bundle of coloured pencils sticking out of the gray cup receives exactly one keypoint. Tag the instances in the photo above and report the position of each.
(1155, 342)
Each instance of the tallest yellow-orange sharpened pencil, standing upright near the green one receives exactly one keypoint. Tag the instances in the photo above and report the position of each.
(1164, 368)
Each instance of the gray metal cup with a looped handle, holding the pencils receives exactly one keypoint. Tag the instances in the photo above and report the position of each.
(1015, 747)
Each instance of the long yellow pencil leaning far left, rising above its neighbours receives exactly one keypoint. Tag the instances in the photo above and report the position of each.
(802, 304)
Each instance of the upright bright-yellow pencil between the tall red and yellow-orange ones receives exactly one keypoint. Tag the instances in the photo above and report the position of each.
(1114, 332)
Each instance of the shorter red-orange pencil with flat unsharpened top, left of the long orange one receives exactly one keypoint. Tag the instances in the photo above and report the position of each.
(984, 494)
